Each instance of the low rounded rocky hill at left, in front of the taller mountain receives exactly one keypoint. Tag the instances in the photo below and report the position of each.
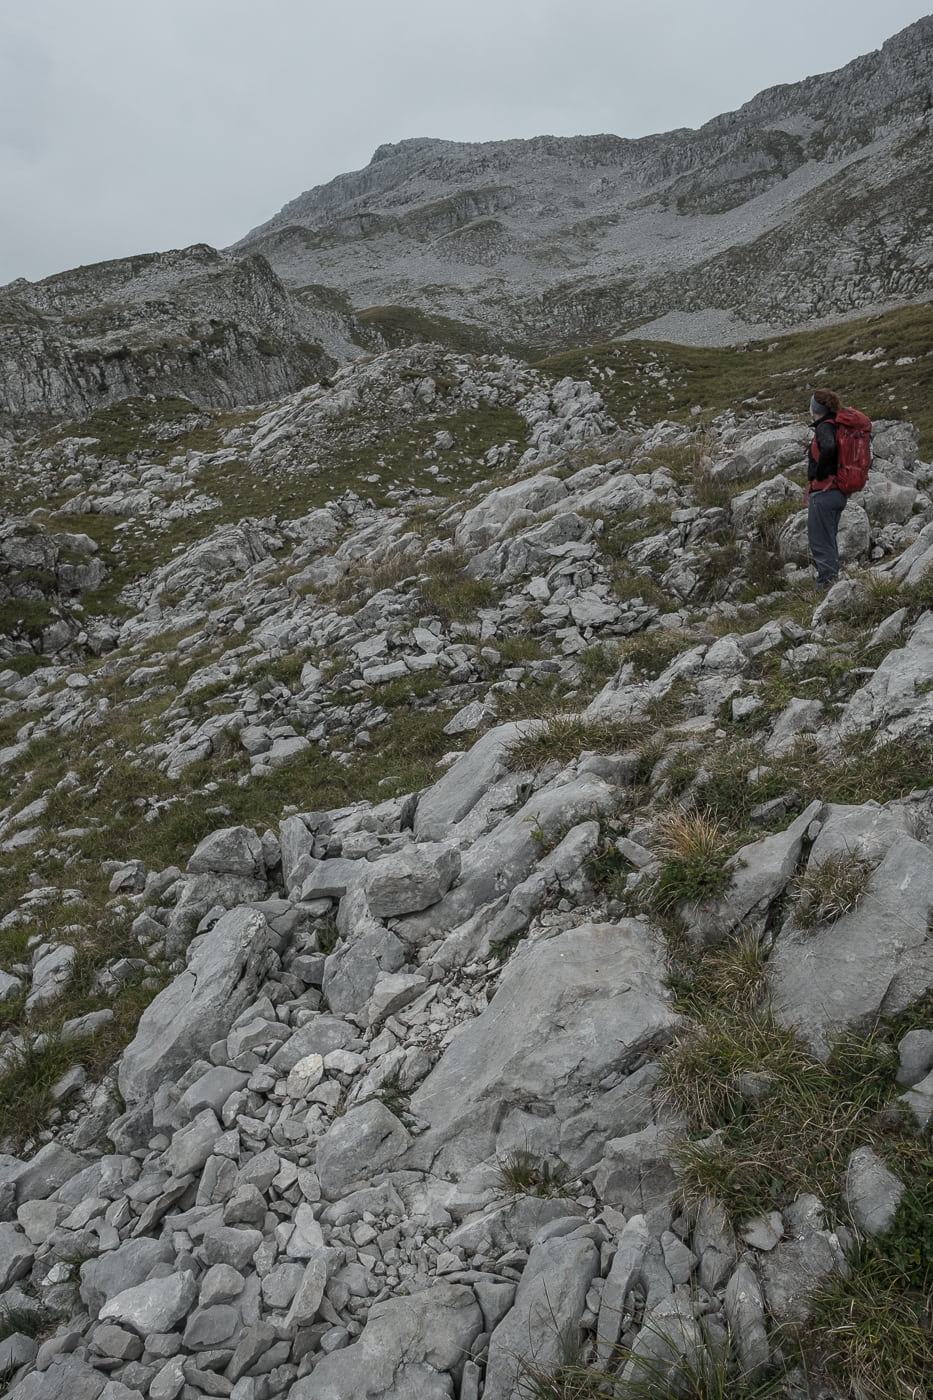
(215, 328)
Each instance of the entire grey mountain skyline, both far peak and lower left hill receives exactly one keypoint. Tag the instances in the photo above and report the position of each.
(806, 205)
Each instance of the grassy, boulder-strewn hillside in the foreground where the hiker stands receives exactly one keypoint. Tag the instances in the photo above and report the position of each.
(386, 870)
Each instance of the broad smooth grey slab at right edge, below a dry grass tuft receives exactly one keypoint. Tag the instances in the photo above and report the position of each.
(875, 961)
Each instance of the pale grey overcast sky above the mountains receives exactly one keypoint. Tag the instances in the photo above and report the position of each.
(139, 125)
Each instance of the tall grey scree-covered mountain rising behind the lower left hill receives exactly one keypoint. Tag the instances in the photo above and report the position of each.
(808, 202)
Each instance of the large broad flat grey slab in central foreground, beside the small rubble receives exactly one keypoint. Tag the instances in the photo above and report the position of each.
(568, 1011)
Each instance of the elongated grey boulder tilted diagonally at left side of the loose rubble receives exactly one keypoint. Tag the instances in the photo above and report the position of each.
(226, 969)
